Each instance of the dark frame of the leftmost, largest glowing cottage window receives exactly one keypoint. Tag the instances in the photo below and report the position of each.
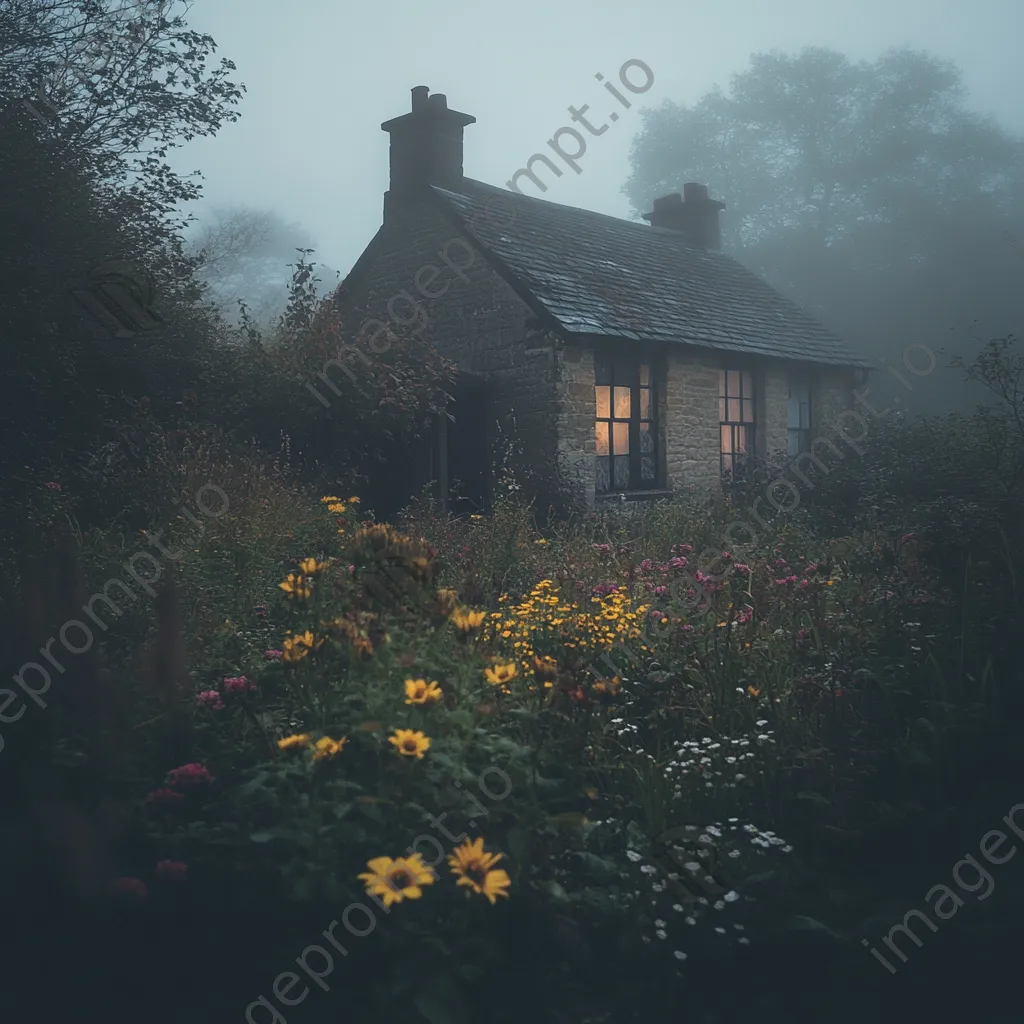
(626, 371)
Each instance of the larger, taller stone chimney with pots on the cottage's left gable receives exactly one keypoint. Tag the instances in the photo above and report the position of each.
(426, 144)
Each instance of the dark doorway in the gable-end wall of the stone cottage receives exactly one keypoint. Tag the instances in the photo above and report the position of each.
(470, 450)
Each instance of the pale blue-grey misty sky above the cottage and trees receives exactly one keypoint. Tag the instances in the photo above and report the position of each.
(322, 76)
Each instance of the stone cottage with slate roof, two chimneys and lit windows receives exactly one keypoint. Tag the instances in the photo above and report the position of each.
(634, 360)
